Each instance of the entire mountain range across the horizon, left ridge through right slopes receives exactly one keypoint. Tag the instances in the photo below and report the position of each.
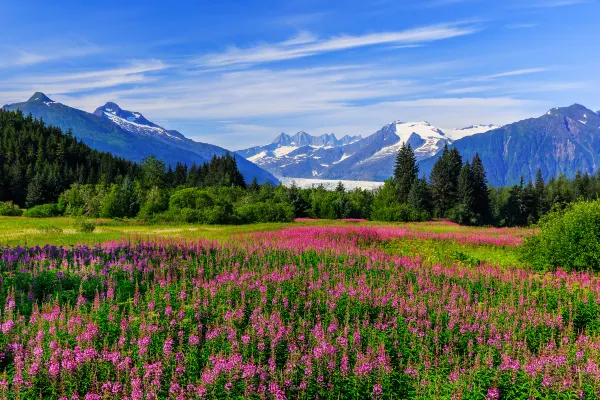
(562, 141)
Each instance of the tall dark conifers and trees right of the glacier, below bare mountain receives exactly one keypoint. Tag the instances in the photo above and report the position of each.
(457, 189)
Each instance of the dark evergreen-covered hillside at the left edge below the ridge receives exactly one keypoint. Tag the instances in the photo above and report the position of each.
(38, 162)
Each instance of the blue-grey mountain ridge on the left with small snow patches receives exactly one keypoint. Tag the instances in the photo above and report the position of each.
(130, 135)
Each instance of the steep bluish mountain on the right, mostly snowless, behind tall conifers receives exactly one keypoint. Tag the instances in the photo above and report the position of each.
(562, 141)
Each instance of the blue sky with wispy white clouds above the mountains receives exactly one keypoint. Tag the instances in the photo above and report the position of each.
(237, 73)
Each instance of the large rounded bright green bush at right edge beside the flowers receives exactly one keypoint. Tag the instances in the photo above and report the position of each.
(568, 238)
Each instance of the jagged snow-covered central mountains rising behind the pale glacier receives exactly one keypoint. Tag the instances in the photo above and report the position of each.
(353, 157)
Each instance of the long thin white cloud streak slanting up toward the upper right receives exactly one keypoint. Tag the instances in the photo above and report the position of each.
(306, 45)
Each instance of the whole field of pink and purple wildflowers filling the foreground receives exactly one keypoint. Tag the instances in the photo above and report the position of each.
(305, 310)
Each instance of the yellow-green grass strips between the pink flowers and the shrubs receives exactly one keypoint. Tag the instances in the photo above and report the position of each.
(31, 231)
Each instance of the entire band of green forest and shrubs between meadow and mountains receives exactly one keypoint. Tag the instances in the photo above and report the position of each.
(52, 173)
